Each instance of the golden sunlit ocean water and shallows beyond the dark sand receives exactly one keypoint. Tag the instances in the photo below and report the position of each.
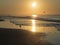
(50, 25)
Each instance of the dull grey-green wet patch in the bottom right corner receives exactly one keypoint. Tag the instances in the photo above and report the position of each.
(54, 37)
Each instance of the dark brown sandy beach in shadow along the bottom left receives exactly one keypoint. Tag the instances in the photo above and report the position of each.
(21, 37)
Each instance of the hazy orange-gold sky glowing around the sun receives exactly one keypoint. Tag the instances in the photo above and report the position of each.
(24, 7)
